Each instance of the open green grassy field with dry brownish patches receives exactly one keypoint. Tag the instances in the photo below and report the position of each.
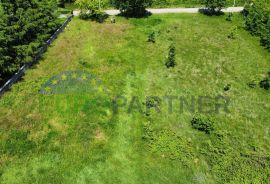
(74, 137)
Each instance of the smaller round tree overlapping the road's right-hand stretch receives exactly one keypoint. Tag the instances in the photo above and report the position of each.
(214, 6)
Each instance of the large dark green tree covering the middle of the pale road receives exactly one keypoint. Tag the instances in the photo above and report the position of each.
(132, 8)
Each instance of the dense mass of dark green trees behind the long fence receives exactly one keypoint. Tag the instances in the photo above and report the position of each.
(24, 27)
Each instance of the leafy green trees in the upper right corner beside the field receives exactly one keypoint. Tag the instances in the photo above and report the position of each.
(257, 21)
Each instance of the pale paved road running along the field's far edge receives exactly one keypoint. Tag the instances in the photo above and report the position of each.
(171, 10)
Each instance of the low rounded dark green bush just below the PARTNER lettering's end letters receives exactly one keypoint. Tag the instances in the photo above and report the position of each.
(202, 124)
